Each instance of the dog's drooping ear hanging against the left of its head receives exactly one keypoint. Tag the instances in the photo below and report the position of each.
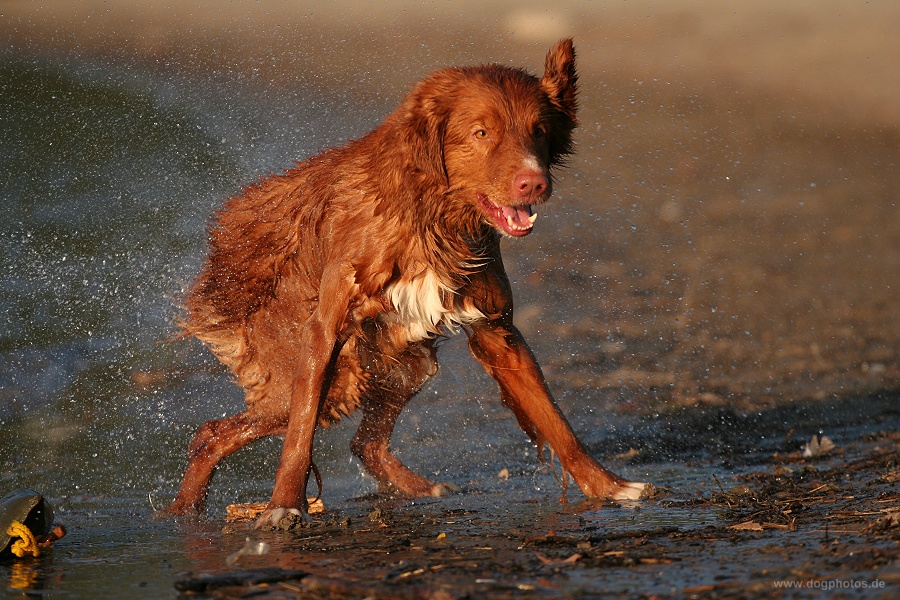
(423, 125)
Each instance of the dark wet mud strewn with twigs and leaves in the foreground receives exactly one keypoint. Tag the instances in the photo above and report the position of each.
(789, 526)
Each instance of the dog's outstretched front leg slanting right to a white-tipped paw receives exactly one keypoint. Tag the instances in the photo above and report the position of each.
(503, 352)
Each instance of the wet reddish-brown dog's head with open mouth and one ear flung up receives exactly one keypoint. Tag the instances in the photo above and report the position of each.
(491, 136)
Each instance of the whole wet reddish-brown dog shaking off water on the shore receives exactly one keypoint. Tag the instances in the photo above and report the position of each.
(327, 286)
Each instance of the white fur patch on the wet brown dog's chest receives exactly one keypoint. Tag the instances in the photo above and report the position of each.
(425, 307)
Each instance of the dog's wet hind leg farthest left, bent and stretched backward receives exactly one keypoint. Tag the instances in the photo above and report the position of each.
(213, 442)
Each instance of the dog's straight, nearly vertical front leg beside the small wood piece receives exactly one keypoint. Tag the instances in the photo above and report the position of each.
(320, 342)
